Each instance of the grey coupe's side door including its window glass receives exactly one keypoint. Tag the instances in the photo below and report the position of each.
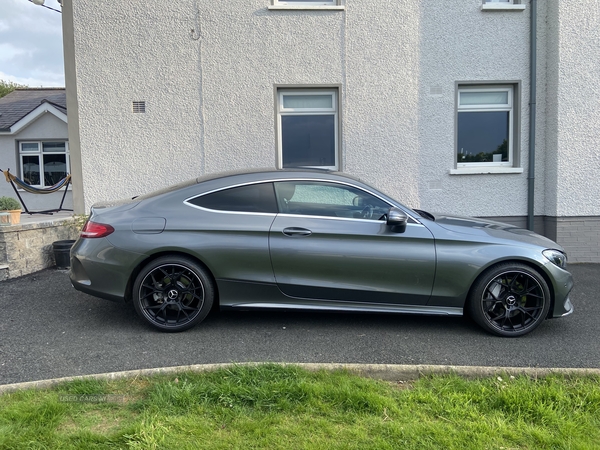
(330, 242)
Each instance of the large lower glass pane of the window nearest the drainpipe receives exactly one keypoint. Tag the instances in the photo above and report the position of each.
(483, 136)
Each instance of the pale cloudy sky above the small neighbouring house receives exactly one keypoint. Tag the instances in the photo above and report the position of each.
(31, 51)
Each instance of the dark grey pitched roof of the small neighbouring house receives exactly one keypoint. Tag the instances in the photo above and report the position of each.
(20, 102)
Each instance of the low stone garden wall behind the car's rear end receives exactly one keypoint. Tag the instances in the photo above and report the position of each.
(27, 248)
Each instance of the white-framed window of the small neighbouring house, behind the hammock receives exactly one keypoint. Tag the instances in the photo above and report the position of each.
(43, 163)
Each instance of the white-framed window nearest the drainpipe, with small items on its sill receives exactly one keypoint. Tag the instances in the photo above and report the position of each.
(486, 126)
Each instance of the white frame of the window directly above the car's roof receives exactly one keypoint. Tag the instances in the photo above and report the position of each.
(282, 111)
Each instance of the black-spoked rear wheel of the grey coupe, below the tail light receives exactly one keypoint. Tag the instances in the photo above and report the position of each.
(173, 293)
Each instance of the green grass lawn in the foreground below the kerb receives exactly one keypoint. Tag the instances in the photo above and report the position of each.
(272, 406)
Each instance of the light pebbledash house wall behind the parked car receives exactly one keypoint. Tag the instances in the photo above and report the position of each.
(208, 73)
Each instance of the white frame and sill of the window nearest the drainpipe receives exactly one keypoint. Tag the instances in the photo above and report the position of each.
(509, 166)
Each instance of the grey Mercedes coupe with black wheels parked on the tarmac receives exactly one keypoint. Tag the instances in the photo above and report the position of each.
(313, 240)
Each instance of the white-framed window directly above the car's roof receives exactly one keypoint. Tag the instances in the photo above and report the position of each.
(308, 128)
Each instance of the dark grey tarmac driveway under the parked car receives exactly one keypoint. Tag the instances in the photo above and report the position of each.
(48, 330)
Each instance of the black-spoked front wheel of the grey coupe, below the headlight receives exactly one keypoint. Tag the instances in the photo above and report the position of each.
(509, 300)
